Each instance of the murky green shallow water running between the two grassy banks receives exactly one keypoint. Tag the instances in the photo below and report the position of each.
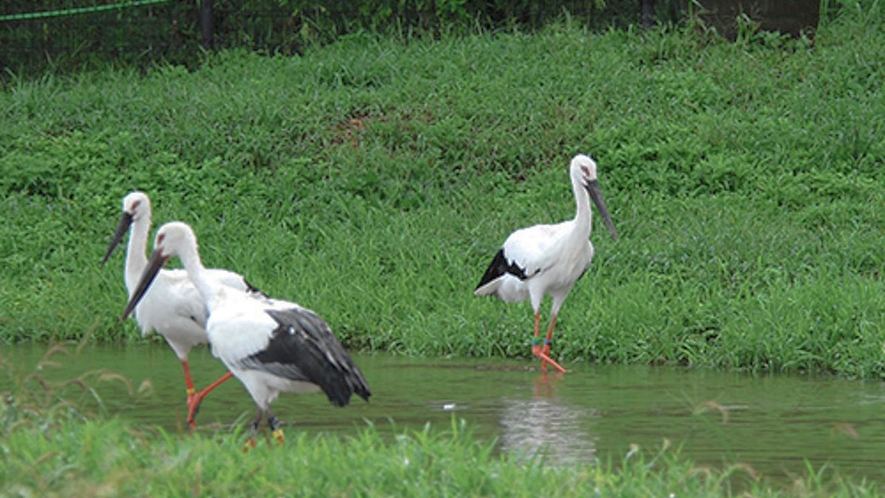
(772, 423)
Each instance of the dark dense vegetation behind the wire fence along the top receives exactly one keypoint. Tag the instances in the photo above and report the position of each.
(70, 35)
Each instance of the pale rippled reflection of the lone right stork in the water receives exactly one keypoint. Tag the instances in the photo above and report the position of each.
(546, 426)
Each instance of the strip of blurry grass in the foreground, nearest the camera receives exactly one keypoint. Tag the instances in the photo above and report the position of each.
(116, 459)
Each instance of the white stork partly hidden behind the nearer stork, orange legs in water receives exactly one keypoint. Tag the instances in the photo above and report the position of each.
(173, 307)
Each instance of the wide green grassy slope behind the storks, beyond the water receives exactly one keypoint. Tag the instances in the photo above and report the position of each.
(371, 180)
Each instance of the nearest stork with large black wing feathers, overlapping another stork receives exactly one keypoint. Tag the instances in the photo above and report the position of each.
(271, 345)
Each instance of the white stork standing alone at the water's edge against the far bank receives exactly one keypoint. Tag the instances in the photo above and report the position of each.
(549, 259)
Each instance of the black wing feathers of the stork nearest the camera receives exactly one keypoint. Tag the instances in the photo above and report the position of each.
(304, 348)
